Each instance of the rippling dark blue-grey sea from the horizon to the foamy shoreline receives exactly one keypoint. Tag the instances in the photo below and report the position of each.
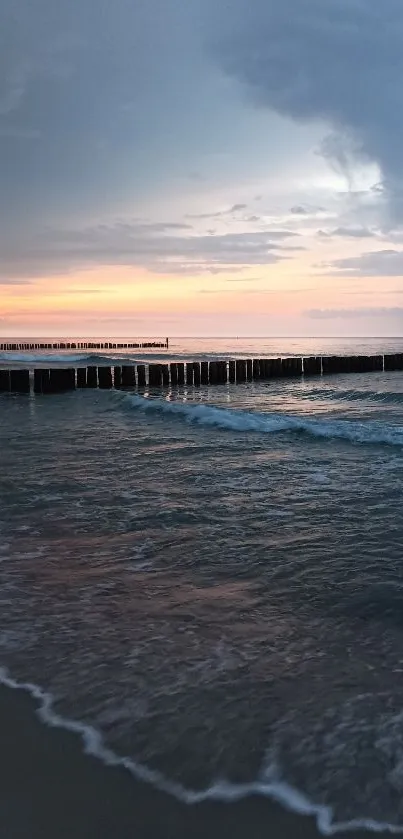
(208, 584)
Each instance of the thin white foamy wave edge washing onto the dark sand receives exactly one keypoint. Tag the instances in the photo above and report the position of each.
(267, 785)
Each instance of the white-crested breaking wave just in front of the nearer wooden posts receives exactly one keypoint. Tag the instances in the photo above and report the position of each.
(271, 423)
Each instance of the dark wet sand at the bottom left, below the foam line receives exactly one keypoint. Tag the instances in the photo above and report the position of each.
(51, 790)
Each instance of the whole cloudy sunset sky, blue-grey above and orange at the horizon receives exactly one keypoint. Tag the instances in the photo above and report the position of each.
(201, 167)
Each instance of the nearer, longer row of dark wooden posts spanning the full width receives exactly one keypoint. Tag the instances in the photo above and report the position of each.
(192, 373)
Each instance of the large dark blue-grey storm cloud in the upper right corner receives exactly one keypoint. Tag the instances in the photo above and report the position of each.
(336, 61)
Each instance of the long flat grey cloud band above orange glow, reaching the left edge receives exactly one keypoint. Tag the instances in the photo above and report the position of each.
(160, 247)
